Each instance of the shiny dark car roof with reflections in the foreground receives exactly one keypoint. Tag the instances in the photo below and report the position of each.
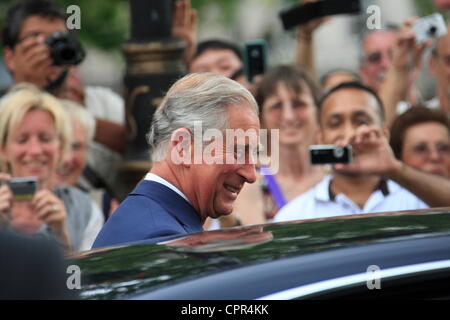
(251, 262)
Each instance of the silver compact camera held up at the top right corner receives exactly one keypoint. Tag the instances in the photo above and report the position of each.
(429, 27)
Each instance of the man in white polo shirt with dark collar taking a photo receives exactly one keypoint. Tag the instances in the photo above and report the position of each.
(375, 181)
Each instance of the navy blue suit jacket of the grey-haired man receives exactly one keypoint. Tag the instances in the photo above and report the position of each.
(151, 210)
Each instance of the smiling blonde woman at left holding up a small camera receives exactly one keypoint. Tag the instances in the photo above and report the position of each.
(34, 134)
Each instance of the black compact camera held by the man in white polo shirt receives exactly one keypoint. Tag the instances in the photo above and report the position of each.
(330, 154)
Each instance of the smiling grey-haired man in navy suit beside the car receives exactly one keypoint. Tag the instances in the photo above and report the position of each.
(183, 189)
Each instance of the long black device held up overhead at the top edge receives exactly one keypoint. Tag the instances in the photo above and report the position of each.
(303, 13)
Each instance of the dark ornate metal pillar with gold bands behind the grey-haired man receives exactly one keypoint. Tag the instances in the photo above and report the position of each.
(154, 63)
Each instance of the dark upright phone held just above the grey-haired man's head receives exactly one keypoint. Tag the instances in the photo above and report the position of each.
(255, 58)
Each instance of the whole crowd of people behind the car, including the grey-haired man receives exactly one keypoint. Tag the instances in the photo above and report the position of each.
(71, 136)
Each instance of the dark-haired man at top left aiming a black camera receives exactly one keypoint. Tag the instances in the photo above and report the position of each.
(29, 26)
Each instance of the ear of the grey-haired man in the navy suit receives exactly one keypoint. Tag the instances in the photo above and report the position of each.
(181, 147)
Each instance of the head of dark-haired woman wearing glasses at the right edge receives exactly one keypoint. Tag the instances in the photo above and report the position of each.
(420, 137)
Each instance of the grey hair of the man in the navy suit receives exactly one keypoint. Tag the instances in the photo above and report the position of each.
(196, 97)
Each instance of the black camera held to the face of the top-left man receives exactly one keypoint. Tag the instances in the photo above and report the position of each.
(65, 49)
